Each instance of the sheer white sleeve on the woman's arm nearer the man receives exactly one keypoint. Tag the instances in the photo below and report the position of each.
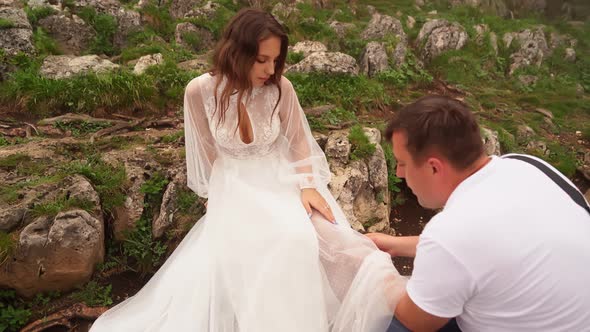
(305, 158)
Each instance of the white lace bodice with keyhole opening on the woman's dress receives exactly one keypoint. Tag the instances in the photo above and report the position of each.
(259, 105)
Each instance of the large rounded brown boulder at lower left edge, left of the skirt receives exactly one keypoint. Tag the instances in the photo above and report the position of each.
(55, 252)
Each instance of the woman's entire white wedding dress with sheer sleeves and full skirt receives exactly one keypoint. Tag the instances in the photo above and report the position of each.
(256, 262)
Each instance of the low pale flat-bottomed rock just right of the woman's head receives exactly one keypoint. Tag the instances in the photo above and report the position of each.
(327, 62)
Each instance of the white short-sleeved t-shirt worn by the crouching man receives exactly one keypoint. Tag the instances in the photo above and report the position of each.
(509, 252)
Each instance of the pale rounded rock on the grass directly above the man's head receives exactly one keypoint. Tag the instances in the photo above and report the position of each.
(439, 36)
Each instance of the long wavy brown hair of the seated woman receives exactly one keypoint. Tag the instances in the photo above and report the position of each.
(236, 52)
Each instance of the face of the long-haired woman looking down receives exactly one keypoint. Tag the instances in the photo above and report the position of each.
(264, 66)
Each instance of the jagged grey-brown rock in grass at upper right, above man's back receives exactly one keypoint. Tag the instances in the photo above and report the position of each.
(533, 48)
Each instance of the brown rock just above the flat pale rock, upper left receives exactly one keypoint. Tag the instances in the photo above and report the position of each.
(72, 33)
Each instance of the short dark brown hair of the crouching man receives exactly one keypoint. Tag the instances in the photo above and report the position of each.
(439, 124)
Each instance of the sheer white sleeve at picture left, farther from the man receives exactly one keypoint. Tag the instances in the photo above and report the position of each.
(201, 149)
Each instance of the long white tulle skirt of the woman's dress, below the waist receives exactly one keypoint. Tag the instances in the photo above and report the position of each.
(261, 265)
